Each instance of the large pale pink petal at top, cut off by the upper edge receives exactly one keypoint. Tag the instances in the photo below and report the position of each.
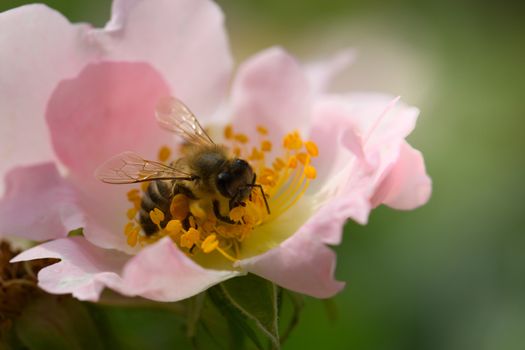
(184, 40)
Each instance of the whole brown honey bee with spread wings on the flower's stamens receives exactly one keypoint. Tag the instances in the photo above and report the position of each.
(206, 172)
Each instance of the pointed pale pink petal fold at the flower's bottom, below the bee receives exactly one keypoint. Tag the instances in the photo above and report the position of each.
(162, 272)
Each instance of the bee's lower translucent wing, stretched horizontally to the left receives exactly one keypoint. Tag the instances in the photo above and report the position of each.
(129, 167)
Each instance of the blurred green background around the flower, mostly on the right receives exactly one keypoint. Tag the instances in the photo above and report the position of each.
(450, 275)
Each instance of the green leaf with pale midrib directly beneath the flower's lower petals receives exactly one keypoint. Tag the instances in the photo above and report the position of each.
(252, 303)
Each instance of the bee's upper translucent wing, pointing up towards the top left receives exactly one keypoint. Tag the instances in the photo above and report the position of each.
(175, 116)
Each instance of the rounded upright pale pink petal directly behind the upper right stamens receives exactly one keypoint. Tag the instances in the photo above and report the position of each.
(272, 90)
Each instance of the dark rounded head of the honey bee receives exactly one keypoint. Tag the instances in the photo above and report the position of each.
(234, 179)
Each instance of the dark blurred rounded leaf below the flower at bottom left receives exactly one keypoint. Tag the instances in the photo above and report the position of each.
(51, 322)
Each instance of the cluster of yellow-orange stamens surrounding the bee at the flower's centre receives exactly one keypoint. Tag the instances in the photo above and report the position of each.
(197, 226)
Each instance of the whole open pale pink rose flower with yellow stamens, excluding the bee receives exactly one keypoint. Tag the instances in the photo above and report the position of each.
(73, 96)
